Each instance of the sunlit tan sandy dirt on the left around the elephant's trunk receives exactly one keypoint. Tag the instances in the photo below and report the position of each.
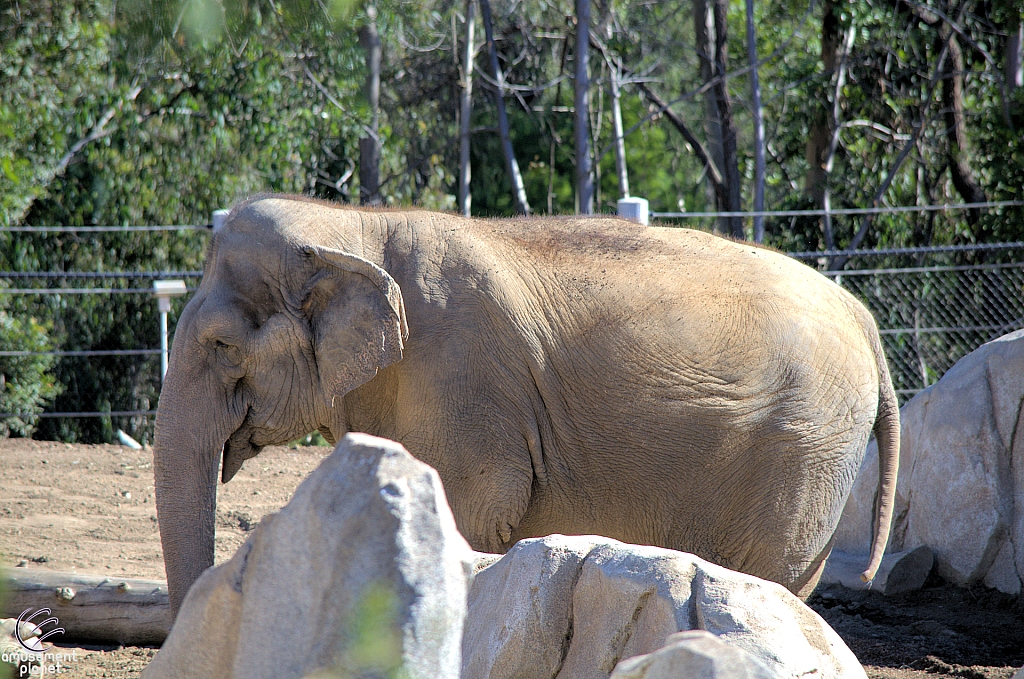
(91, 510)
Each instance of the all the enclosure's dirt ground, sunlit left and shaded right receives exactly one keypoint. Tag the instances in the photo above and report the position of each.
(91, 510)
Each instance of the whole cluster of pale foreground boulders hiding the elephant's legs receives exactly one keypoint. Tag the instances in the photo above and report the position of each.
(364, 573)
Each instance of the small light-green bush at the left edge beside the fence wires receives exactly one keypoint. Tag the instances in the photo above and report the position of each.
(26, 384)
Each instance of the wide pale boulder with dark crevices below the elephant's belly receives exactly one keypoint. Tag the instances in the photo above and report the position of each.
(573, 608)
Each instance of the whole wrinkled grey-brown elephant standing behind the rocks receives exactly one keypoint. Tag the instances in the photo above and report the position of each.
(575, 375)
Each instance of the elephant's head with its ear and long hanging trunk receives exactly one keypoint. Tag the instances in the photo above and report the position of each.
(281, 329)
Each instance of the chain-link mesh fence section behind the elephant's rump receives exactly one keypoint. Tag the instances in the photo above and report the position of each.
(934, 306)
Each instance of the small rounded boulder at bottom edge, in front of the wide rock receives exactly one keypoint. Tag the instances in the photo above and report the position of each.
(694, 655)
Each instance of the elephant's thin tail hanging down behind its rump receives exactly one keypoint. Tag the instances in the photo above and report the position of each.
(887, 436)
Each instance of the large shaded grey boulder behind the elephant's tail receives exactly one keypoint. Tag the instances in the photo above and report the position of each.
(961, 488)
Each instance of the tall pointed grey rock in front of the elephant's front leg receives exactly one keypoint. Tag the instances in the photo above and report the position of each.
(363, 571)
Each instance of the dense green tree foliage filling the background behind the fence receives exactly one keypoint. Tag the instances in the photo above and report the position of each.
(159, 112)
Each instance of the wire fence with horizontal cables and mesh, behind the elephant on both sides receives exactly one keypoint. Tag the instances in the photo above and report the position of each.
(933, 306)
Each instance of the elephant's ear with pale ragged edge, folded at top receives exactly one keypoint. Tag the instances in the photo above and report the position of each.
(358, 318)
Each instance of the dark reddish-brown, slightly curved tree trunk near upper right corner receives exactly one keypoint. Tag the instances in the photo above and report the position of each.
(958, 152)
